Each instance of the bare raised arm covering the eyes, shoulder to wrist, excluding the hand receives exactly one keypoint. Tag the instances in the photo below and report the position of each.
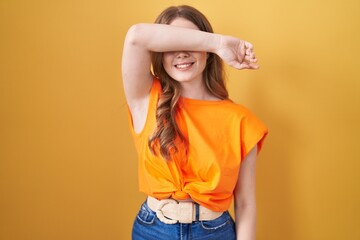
(142, 39)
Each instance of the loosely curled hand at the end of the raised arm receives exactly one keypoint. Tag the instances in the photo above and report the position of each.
(237, 53)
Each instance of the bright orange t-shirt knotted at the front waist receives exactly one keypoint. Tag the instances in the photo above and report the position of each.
(220, 134)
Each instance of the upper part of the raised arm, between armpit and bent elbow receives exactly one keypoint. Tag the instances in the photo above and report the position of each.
(136, 63)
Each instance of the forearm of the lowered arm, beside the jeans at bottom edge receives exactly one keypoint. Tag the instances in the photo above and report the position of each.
(245, 219)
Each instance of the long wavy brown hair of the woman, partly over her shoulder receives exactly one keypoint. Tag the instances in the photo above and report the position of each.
(167, 130)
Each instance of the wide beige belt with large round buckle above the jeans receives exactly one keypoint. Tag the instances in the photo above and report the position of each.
(170, 211)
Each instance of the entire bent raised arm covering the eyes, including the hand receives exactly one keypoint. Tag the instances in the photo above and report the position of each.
(142, 39)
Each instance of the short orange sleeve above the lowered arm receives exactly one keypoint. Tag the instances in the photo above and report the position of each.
(253, 132)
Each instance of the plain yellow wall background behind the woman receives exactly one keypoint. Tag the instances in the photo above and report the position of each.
(68, 165)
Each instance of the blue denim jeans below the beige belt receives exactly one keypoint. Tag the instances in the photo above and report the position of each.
(148, 227)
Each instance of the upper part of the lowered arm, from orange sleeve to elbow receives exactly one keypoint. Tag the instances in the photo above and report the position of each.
(244, 192)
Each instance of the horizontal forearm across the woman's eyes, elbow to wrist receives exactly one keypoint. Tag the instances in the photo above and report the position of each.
(165, 38)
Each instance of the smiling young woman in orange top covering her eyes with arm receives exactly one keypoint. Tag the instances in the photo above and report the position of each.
(190, 138)
